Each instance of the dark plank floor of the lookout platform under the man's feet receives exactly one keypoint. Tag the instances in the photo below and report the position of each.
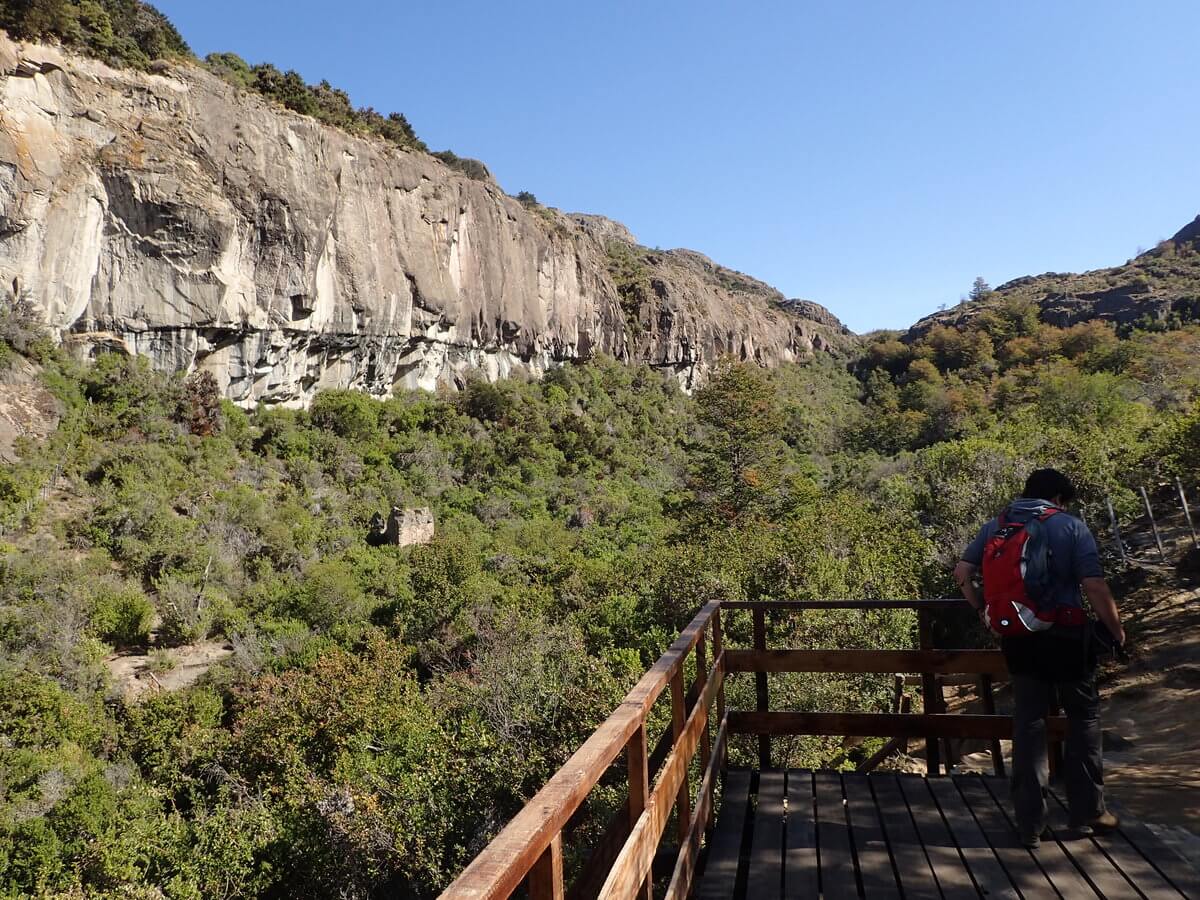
(829, 835)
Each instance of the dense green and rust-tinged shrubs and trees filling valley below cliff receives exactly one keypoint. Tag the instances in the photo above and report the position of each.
(376, 722)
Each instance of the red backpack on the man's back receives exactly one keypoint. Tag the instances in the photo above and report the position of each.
(1017, 579)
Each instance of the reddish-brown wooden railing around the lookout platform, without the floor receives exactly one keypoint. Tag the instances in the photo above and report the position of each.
(530, 850)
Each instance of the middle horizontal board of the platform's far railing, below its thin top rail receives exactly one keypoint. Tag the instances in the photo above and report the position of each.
(869, 662)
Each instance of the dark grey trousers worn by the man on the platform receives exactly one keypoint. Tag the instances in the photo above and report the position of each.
(1083, 770)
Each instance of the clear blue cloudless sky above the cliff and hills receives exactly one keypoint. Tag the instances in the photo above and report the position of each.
(874, 157)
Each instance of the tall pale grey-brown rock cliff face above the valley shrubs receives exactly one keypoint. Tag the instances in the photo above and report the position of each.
(176, 217)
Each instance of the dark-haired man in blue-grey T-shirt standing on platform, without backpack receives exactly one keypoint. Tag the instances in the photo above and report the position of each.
(1058, 662)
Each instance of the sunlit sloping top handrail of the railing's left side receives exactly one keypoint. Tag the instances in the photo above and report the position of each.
(505, 863)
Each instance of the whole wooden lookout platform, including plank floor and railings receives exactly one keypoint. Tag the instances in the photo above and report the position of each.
(797, 833)
